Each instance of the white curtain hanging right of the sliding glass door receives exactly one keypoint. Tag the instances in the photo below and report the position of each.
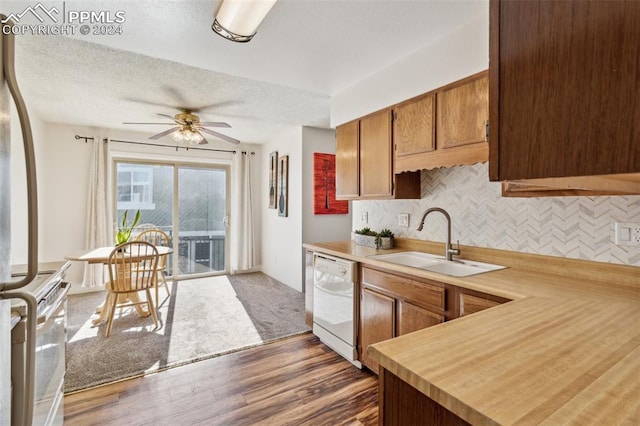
(243, 250)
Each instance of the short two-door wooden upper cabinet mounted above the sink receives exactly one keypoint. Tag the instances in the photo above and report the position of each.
(443, 128)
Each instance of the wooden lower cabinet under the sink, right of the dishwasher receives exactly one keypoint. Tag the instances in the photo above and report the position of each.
(392, 305)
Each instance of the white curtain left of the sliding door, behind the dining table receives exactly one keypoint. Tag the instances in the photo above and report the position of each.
(98, 228)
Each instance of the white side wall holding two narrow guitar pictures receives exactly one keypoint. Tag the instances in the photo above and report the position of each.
(282, 236)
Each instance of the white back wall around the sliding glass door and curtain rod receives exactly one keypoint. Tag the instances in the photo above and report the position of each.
(63, 168)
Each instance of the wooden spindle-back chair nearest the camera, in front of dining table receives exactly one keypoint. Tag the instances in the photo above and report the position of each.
(128, 278)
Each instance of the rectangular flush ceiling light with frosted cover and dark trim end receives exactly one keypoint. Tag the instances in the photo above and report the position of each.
(238, 20)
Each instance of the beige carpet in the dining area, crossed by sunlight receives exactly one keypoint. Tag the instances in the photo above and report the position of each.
(203, 318)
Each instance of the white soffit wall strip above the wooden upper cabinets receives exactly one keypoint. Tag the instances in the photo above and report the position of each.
(460, 53)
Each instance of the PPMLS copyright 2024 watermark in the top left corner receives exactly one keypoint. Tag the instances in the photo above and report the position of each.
(57, 20)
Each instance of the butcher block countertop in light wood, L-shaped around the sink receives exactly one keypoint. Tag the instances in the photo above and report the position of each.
(566, 350)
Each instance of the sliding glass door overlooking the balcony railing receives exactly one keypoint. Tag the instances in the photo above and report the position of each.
(187, 202)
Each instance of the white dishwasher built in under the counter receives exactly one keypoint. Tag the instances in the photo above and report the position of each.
(334, 305)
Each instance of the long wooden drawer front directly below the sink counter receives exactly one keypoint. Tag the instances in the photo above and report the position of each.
(419, 292)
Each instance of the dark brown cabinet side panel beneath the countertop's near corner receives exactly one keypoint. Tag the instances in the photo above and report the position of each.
(402, 404)
